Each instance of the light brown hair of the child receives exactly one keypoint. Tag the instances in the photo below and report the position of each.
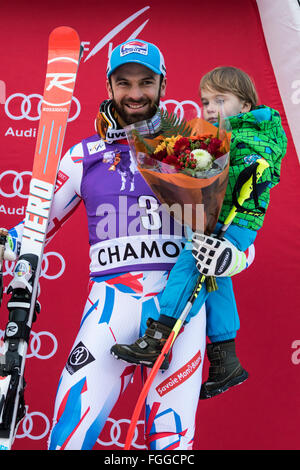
(233, 80)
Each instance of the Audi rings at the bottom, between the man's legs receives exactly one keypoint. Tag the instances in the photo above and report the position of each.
(116, 433)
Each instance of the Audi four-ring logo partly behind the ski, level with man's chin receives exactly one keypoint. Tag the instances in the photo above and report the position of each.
(20, 106)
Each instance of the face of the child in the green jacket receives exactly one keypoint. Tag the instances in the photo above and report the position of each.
(226, 104)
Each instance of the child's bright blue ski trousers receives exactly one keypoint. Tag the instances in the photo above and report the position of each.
(222, 317)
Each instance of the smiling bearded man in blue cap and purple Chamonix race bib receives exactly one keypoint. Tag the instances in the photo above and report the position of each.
(128, 270)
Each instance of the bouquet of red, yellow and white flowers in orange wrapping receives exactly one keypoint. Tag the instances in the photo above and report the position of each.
(184, 163)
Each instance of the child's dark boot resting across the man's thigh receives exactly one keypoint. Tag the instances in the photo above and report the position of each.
(146, 349)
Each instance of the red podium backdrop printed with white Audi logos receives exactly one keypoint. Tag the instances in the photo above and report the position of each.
(194, 36)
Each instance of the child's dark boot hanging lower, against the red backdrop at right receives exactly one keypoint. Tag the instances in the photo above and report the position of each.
(225, 369)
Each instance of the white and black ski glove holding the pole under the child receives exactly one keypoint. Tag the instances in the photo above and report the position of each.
(216, 257)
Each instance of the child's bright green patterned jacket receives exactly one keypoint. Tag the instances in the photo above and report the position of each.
(255, 134)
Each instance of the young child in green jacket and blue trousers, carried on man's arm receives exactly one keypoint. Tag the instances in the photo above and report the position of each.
(256, 132)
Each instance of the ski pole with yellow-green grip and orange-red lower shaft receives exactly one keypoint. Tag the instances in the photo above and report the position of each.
(245, 193)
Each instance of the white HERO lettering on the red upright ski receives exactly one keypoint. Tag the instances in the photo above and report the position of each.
(37, 213)
